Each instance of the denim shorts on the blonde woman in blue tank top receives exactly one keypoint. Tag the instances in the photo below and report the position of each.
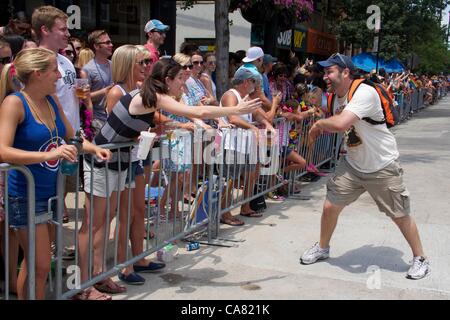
(18, 212)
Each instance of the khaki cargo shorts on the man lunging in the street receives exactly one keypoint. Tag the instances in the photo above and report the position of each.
(385, 187)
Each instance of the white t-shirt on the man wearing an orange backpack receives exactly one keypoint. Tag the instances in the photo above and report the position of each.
(370, 148)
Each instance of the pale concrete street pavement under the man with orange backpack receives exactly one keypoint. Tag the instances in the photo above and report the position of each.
(266, 265)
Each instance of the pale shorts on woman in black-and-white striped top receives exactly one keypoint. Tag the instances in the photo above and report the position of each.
(116, 180)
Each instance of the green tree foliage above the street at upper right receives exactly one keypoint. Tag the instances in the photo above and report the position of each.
(407, 26)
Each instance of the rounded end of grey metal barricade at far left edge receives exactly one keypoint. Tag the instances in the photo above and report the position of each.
(31, 283)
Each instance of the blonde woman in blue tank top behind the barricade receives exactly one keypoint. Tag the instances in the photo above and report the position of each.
(32, 129)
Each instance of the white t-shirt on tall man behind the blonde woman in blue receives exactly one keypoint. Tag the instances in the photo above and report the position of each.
(65, 90)
